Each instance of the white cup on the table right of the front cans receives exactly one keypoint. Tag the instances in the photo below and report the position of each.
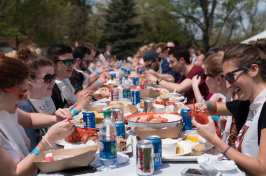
(169, 147)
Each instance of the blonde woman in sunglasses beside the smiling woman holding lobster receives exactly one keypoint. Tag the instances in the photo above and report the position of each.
(213, 77)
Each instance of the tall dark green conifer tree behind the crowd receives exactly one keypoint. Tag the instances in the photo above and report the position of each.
(120, 30)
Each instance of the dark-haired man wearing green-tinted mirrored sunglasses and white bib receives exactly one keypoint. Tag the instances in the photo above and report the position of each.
(63, 93)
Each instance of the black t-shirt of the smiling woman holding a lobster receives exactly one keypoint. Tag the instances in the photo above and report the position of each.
(240, 110)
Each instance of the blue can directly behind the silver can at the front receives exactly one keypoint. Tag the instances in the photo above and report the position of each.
(157, 144)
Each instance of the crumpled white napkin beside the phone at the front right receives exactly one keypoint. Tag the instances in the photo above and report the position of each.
(217, 163)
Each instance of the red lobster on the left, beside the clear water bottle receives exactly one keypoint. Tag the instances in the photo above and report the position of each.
(77, 134)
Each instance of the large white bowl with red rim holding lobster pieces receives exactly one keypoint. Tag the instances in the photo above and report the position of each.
(153, 120)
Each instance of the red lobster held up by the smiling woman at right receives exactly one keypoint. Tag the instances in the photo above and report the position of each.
(202, 117)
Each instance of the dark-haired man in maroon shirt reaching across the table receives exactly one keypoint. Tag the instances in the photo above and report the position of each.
(180, 62)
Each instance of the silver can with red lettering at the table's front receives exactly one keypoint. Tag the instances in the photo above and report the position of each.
(144, 154)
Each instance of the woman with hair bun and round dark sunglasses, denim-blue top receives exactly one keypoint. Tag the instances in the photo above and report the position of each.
(40, 86)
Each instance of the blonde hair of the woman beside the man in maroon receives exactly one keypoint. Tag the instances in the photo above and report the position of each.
(213, 64)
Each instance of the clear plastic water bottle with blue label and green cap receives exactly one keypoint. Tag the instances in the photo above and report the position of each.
(108, 148)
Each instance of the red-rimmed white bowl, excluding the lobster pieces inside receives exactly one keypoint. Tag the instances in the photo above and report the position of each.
(173, 120)
